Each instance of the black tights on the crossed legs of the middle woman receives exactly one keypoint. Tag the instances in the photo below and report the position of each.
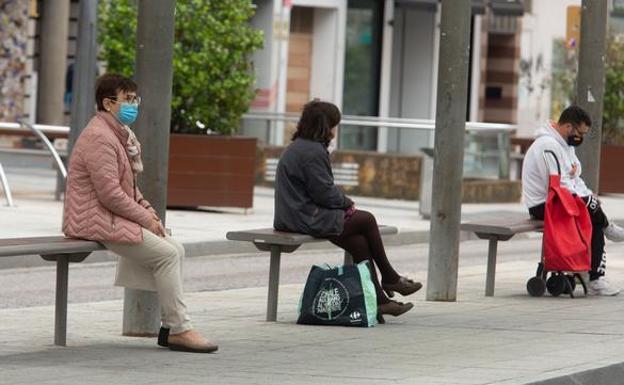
(360, 237)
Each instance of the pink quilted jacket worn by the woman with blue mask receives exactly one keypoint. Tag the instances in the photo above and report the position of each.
(101, 201)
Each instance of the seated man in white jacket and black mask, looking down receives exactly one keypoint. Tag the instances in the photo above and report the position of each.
(557, 141)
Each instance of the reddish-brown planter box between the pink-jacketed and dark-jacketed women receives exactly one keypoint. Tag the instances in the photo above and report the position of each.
(211, 170)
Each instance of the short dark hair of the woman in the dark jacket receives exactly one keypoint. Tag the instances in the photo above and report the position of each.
(317, 120)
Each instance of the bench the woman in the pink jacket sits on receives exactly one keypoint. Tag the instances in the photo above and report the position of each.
(63, 251)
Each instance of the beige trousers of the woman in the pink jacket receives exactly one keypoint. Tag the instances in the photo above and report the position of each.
(163, 258)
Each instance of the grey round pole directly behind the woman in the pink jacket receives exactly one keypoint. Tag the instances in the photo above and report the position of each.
(154, 64)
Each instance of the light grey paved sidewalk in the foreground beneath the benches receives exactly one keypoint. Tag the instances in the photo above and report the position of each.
(507, 339)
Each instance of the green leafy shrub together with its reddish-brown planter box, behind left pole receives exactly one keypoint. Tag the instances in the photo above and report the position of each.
(212, 88)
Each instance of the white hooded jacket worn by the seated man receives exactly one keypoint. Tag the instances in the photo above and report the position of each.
(539, 164)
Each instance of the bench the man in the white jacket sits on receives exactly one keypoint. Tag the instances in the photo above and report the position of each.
(500, 229)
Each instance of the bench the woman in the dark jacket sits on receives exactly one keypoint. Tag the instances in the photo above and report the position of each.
(278, 242)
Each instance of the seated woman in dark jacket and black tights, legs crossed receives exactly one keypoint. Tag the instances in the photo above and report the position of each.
(307, 201)
